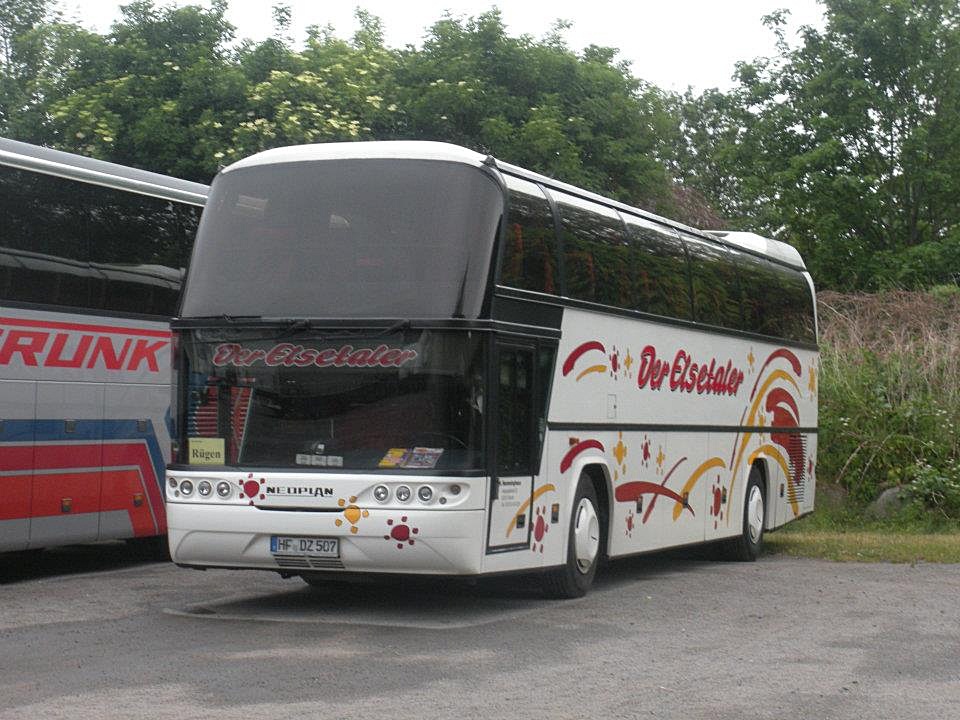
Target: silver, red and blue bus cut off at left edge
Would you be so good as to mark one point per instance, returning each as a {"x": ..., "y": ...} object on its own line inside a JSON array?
[{"x": 92, "y": 257}]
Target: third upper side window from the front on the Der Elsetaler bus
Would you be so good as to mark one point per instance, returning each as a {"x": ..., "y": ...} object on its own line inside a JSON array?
[{"x": 660, "y": 275}]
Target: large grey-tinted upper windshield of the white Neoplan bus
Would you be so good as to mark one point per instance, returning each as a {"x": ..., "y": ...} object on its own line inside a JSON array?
[{"x": 345, "y": 239}]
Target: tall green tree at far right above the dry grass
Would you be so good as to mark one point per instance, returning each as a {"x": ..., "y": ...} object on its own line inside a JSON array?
[{"x": 846, "y": 145}]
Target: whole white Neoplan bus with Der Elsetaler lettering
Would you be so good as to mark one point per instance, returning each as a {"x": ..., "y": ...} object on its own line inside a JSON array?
[{"x": 407, "y": 357}]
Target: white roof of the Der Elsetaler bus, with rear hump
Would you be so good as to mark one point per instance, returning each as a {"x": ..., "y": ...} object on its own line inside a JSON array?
[{"x": 429, "y": 150}]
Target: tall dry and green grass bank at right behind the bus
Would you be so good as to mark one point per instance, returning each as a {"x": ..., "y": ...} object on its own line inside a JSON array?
[{"x": 890, "y": 396}]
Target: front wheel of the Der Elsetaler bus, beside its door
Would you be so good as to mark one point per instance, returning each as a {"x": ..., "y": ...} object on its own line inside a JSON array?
[{"x": 575, "y": 576}]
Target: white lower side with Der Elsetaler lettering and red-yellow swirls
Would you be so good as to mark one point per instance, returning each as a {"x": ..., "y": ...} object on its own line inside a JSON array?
[{"x": 676, "y": 450}]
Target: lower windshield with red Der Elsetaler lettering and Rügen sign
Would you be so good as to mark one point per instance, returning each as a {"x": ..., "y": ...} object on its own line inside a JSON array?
[{"x": 404, "y": 401}]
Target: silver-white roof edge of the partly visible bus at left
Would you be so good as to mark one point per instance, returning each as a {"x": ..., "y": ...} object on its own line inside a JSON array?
[{"x": 99, "y": 172}]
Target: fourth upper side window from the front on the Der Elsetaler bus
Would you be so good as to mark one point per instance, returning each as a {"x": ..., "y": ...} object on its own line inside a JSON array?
[{"x": 716, "y": 290}]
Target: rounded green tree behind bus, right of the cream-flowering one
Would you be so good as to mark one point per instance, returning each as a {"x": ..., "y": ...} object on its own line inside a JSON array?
[{"x": 580, "y": 117}]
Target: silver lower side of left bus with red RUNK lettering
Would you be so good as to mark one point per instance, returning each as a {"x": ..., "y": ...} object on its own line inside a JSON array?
[{"x": 84, "y": 438}]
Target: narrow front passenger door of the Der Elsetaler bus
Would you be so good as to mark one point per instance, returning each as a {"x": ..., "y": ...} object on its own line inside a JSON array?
[{"x": 513, "y": 436}]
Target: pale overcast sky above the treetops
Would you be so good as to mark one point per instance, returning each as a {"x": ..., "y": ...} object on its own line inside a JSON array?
[{"x": 670, "y": 43}]
